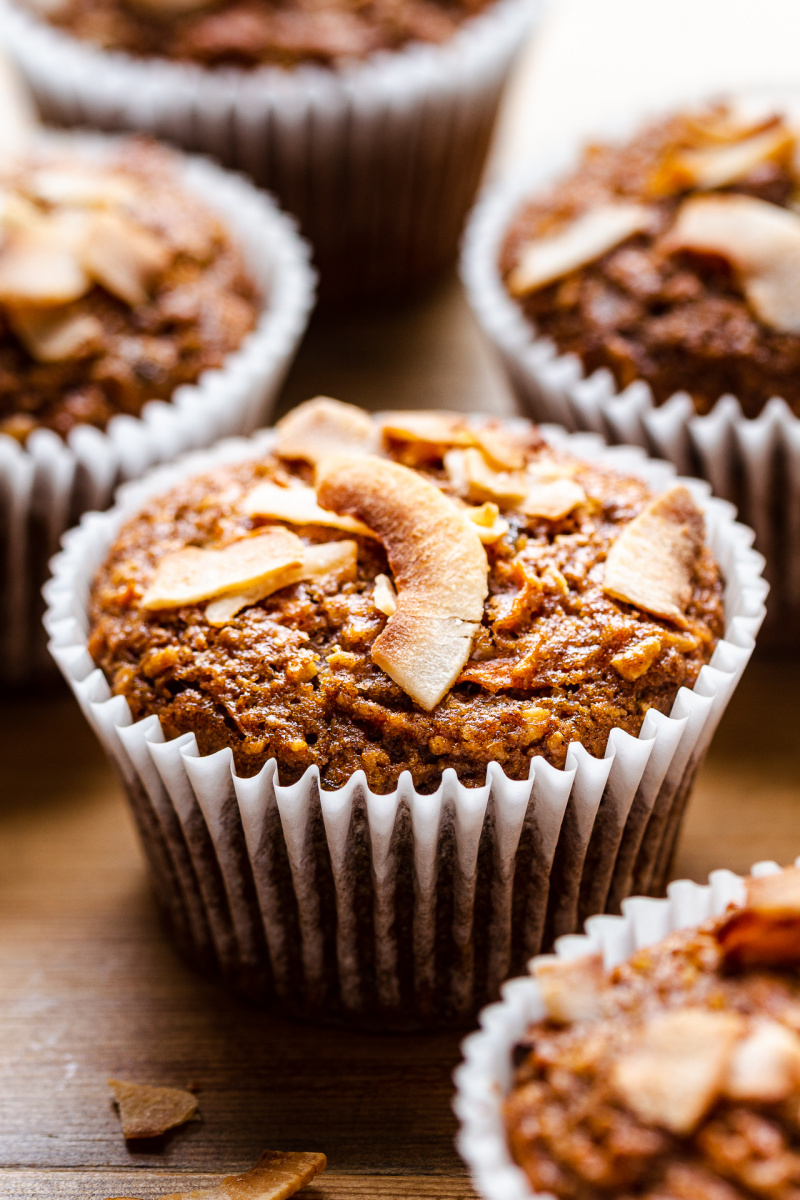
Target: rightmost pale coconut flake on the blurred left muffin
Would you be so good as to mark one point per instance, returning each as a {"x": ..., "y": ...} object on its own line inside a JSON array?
[{"x": 124, "y": 259}]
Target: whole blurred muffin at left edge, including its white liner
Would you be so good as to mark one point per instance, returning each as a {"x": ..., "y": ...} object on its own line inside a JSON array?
[{"x": 128, "y": 277}]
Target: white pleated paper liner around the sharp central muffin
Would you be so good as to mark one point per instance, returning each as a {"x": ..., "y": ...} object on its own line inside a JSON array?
[{"x": 399, "y": 910}]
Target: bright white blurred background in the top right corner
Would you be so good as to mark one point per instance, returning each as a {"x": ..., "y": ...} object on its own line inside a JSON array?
[{"x": 596, "y": 61}]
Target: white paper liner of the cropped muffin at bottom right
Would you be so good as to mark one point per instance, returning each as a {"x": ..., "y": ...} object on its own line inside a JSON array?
[{"x": 486, "y": 1076}]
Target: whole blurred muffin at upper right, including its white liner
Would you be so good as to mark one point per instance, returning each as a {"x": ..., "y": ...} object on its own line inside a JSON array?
[{"x": 667, "y": 261}]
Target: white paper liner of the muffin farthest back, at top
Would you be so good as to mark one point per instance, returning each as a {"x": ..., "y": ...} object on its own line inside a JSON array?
[{"x": 380, "y": 160}]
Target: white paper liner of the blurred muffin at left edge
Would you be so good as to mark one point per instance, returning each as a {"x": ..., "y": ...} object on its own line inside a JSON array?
[{"x": 46, "y": 485}]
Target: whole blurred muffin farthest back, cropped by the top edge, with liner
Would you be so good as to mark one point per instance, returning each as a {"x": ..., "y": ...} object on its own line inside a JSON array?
[{"x": 371, "y": 123}]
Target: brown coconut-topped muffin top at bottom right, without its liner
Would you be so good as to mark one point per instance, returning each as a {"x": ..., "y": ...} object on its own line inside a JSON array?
[{"x": 676, "y": 1076}]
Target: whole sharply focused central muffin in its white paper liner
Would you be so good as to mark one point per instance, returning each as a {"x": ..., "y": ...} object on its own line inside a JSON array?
[{"x": 437, "y": 687}]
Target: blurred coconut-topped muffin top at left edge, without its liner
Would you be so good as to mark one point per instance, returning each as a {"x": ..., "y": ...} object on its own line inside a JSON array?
[{"x": 117, "y": 286}]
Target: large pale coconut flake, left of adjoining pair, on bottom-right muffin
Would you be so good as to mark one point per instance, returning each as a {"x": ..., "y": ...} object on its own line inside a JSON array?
[{"x": 679, "y": 1067}]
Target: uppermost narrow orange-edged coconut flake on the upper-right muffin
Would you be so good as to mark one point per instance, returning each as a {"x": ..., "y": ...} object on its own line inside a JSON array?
[{"x": 723, "y": 165}]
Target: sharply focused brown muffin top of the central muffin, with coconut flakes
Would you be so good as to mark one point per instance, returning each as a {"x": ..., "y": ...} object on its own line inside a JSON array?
[{"x": 412, "y": 592}]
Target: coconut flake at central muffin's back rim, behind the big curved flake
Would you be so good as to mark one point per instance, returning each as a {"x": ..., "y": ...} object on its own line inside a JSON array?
[{"x": 324, "y": 427}]
